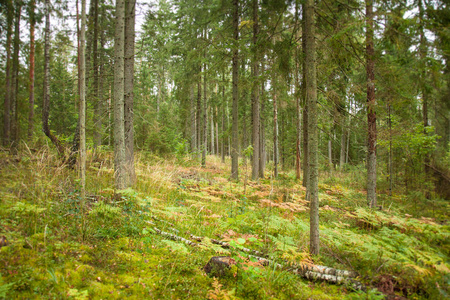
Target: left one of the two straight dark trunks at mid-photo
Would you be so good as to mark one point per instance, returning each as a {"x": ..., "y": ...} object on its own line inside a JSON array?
[{"x": 235, "y": 138}]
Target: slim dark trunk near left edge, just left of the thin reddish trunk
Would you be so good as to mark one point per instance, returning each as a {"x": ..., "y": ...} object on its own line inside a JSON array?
[{"x": 15, "y": 80}]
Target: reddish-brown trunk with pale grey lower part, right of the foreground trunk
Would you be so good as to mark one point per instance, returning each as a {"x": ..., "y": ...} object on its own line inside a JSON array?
[{"x": 371, "y": 115}]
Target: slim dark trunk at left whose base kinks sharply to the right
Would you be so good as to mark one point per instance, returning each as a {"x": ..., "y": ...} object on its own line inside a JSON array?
[{"x": 46, "y": 102}]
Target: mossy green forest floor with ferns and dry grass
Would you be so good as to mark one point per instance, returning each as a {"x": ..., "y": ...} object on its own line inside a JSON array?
[{"x": 53, "y": 247}]
